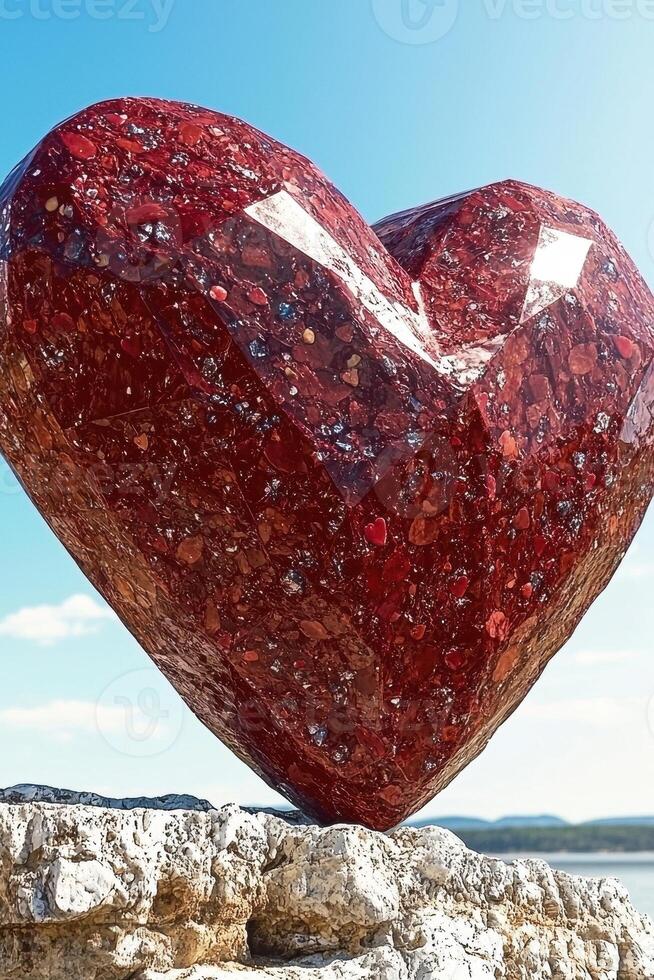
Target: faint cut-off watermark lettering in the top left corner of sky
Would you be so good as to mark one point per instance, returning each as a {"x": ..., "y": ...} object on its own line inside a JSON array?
[{"x": 155, "y": 14}]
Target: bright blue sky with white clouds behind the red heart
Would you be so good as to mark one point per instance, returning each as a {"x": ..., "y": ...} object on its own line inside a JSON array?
[{"x": 400, "y": 102}]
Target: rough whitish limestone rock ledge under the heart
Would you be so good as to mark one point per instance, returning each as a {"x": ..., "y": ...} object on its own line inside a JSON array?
[{"x": 117, "y": 890}]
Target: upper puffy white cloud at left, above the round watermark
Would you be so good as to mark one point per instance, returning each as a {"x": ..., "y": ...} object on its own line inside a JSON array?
[{"x": 77, "y": 616}]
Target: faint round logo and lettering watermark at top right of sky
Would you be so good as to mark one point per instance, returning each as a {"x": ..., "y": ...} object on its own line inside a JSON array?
[{"x": 427, "y": 21}]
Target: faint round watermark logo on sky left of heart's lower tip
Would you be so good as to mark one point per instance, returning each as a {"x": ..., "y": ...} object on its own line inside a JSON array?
[{"x": 139, "y": 715}]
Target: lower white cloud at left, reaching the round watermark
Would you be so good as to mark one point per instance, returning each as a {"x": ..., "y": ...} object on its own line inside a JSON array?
[{"x": 62, "y": 720}]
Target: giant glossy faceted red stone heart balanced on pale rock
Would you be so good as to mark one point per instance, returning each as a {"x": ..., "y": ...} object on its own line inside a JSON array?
[{"x": 351, "y": 488}]
